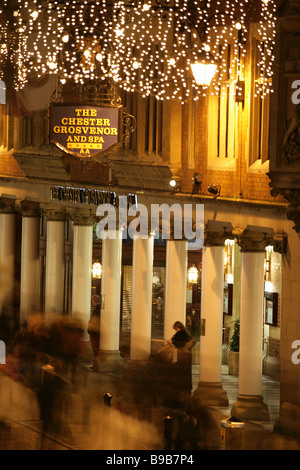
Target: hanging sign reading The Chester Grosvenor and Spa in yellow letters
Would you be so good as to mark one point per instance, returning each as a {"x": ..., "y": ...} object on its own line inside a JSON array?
[{"x": 84, "y": 131}]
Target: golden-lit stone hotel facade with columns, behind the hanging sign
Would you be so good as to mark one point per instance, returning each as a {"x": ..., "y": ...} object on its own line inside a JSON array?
[{"x": 248, "y": 187}]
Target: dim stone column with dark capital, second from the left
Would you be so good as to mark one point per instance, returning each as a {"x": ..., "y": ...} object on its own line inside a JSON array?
[{"x": 30, "y": 266}]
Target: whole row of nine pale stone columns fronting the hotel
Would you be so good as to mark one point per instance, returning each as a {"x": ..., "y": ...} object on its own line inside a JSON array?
[{"x": 249, "y": 403}]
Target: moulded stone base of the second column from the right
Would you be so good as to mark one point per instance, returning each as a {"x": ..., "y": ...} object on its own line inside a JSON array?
[{"x": 211, "y": 394}]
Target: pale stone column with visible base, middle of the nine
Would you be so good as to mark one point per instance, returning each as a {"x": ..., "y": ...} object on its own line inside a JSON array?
[{"x": 110, "y": 359}]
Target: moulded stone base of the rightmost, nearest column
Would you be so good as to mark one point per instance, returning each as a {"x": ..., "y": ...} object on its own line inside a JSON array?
[{"x": 250, "y": 408}]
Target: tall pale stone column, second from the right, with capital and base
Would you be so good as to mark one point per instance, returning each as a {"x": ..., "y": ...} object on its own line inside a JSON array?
[{"x": 210, "y": 391}]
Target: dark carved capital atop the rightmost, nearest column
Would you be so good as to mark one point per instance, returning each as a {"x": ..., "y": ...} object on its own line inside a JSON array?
[{"x": 254, "y": 239}]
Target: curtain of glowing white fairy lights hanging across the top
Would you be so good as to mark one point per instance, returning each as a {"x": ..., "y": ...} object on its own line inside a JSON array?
[{"x": 147, "y": 46}]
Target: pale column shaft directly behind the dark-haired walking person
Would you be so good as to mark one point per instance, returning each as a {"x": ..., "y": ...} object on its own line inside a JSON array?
[{"x": 176, "y": 283}]
